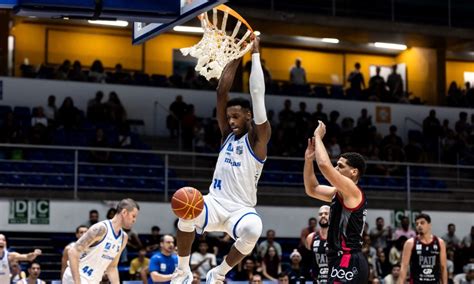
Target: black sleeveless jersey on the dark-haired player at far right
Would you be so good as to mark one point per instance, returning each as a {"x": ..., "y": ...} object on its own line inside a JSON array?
[{"x": 425, "y": 264}]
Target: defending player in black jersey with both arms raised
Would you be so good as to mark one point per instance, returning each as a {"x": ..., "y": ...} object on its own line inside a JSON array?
[{"x": 347, "y": 264}]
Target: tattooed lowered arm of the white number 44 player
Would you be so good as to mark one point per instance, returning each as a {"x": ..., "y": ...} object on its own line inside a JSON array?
[{"x": 92, "y": 236}]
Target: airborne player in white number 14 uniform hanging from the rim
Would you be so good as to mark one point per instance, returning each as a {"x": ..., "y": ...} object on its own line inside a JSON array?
[{"x": 229, "y": 206}]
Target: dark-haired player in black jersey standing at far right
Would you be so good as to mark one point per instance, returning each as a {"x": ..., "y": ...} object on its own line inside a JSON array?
[{"x": 425, "y": 255}]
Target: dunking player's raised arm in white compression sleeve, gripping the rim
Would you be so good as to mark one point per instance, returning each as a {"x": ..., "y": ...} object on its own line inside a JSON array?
[{"x": 262, "y": 131}]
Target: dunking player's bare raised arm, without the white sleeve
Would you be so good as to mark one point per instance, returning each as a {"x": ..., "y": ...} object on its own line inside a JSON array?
[{"x": 223, "y": 89}]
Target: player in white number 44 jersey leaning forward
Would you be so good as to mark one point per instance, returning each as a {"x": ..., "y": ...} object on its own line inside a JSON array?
[{"x": 98, "y": 251}]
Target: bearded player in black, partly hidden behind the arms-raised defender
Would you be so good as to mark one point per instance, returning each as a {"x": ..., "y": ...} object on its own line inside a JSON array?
[{"x": 317, "y": 243}]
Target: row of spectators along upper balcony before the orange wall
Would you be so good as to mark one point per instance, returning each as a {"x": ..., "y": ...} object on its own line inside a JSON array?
[{"x": 378, "y": 89}]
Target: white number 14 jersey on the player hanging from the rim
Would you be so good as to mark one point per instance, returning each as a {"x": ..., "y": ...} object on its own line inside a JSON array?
[{"x": 237, "y": 172}]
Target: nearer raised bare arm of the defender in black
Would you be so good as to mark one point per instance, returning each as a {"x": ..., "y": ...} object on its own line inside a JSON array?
[{"x": 344, "y": 185}]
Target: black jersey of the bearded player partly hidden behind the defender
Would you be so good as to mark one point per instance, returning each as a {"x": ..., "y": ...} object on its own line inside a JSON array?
[{"x": 320, "y": 269}]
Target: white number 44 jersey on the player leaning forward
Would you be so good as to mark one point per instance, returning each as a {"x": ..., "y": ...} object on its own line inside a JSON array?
[{"x": 94, "y": 262}]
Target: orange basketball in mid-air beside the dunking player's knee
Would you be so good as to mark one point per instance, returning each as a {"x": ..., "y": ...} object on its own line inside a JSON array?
[{"x": 187, "y": 203}]
